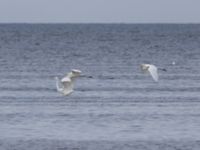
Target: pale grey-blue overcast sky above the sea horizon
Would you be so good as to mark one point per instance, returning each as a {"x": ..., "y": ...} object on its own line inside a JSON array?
[{"x": 99, "y": 11}]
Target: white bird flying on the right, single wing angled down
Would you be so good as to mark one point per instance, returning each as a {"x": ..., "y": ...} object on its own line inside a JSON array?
[{"x": 151, "y": 69}]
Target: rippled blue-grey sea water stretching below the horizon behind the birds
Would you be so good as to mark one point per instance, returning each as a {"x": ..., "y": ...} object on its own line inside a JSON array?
[{"x": 118, "y": 105}]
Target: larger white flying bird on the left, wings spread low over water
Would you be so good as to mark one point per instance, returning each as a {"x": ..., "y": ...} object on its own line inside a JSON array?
[{"x": 66, "y": 84}]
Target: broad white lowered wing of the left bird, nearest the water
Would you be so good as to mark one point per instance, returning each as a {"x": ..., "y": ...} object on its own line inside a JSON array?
[{"x": 67, "y": 85}]
